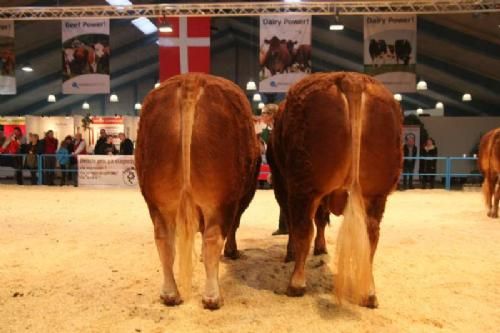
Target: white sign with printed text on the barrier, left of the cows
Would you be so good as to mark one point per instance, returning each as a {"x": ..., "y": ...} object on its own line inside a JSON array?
[{"x": 112, "y": 170}]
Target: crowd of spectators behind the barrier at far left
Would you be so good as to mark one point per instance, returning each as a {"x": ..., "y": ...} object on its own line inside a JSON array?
[{"x": 23, "y": 154}]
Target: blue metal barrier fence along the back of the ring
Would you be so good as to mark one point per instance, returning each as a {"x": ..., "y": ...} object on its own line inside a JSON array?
[{"x": 46, "y": 164}]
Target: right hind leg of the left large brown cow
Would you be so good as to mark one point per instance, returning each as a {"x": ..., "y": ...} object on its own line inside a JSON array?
[{"x": 213, "y": 241}]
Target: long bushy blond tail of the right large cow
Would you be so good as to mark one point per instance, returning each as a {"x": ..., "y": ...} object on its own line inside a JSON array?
[{"x": 354, "y": 275}]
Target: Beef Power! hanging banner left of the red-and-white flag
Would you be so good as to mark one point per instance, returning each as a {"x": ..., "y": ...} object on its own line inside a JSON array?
[{"x": 85, "y": 56}]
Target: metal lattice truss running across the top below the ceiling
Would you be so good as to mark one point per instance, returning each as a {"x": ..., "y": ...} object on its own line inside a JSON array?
[{"x": 251, "y": 9}]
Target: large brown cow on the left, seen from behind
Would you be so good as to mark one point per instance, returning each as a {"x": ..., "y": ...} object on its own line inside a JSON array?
[{"x": 197, "y": 160}]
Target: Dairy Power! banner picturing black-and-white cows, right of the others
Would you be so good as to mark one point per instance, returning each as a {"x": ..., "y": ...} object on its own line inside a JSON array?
[{"x": 390, "y": 50}]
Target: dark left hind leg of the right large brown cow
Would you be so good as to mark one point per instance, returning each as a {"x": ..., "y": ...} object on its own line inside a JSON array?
[{"x": 301, "y": 233}]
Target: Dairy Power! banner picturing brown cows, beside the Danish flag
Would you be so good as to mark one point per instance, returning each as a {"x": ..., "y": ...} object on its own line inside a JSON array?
[{"x": 285, "y": 51}]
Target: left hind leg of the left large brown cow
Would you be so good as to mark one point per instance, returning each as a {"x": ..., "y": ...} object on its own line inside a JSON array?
[{"x": 164, "y": 230}]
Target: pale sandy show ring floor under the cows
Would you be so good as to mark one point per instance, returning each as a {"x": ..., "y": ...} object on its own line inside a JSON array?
[{"x": 84, "y": 260}]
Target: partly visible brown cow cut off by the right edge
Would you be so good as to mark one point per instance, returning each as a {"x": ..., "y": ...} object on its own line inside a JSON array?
[{"x": 489, "y": 164}]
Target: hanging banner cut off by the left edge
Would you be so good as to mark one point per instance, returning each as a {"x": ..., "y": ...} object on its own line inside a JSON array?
[{"x": 7, "y": 58}]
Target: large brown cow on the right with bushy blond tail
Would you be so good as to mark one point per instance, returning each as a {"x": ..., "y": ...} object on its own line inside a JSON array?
[{"x": 339, "y": 133}]
